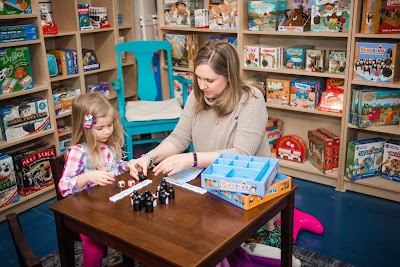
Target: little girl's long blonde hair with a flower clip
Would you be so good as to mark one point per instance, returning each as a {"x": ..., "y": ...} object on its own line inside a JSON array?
[{"x": 97, "y": 105}]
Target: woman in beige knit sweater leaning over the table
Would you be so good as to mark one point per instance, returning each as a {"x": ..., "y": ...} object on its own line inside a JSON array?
[{"x": 222, "y": 115}]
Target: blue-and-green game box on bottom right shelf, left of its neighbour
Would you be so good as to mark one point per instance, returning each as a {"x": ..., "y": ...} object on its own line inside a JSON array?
[{"x": 364, "y": 158}]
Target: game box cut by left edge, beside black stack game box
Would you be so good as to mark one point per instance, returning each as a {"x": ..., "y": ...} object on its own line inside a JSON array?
[{"x": 8, "y": 183}]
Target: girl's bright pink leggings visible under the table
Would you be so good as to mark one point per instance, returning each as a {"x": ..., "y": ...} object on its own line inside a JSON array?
[{"x": 93, "y": 252}]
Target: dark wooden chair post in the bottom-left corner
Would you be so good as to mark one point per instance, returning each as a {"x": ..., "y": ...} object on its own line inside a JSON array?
[{"x": 25, "y": 254}]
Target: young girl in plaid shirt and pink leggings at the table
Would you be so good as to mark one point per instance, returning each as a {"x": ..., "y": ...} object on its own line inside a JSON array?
[{"x": 94, "y": 157}]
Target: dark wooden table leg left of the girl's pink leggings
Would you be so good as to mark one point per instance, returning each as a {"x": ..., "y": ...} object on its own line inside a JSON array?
[{"x": 65, "y": 242}]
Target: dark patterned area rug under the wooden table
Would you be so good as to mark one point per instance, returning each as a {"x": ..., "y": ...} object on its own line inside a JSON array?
[{"x": 307, "y": 258}]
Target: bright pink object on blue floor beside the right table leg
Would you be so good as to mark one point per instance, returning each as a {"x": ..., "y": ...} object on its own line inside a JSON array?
[{"x": 304, "y": 221}]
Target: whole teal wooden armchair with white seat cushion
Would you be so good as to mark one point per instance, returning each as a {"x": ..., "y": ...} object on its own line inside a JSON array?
[{"x": 147, "y": 115}]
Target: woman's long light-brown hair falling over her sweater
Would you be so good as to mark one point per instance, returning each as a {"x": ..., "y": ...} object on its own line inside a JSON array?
[{"x": 223, "y": 60}]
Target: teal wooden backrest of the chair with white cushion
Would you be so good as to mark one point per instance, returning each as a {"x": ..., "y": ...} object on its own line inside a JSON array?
[{"x": 143, "y": 52}]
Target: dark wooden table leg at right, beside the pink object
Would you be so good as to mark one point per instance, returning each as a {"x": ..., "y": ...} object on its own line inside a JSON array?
[{"x": 287, "y": 232}]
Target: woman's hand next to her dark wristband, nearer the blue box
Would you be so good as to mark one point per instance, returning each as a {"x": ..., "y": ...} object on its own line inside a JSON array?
[{"x": 174, "y": 164}]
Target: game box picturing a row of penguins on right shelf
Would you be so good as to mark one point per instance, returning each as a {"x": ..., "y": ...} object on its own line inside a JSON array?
[{"x": 376, "y": 62}]
